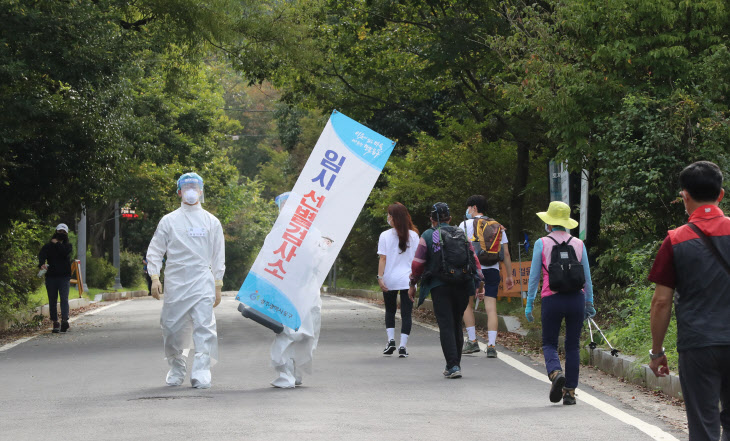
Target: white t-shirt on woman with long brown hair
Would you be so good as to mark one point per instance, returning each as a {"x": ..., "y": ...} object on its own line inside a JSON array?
[{"x": 397, "y": 264}]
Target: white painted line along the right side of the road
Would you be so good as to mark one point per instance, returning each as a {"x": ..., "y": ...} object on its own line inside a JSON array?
[{"x": 653, "y": 431}]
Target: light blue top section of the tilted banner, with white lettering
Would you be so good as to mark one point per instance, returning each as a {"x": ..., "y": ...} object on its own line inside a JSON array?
[{"x": 370, "y": 146}]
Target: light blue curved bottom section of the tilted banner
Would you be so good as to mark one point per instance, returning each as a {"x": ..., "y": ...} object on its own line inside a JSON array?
[{"x": 259, "y": 294}]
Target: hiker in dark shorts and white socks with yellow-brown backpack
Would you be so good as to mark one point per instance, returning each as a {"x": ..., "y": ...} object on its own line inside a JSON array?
[{"x": 489, "y": 240}]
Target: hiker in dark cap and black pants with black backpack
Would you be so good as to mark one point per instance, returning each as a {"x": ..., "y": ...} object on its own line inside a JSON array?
[{"x": 449, "y": 298}]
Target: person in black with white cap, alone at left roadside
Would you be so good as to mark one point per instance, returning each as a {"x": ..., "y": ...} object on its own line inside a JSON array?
[{"x": 55, "y": 258}]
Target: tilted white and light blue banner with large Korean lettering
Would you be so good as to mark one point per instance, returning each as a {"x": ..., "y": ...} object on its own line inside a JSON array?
[{"x": 284, "y": 281}]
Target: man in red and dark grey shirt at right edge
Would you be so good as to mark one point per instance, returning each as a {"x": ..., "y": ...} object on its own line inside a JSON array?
[{"x": 691, "y": 271}]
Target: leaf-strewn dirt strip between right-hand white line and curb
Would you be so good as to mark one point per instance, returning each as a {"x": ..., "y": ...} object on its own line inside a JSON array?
[{"x": 641, "y": 399}]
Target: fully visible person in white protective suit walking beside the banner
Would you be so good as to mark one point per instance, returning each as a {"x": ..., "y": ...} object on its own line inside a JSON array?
[{"x": 193, "y": 240}]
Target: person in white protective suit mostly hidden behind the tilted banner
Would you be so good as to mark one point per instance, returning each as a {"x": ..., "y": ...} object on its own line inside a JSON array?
[{"x": 292, "y": 351}]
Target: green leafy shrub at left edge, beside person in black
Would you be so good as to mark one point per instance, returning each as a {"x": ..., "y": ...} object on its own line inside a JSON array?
[{"x": 19, "y": 248}]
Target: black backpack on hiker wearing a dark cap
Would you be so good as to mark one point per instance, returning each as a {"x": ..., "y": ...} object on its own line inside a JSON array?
[{"x": 454, "y": 261}]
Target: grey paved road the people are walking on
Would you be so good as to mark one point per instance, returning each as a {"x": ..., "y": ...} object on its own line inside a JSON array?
[{"x": 105, "y": 380}]
